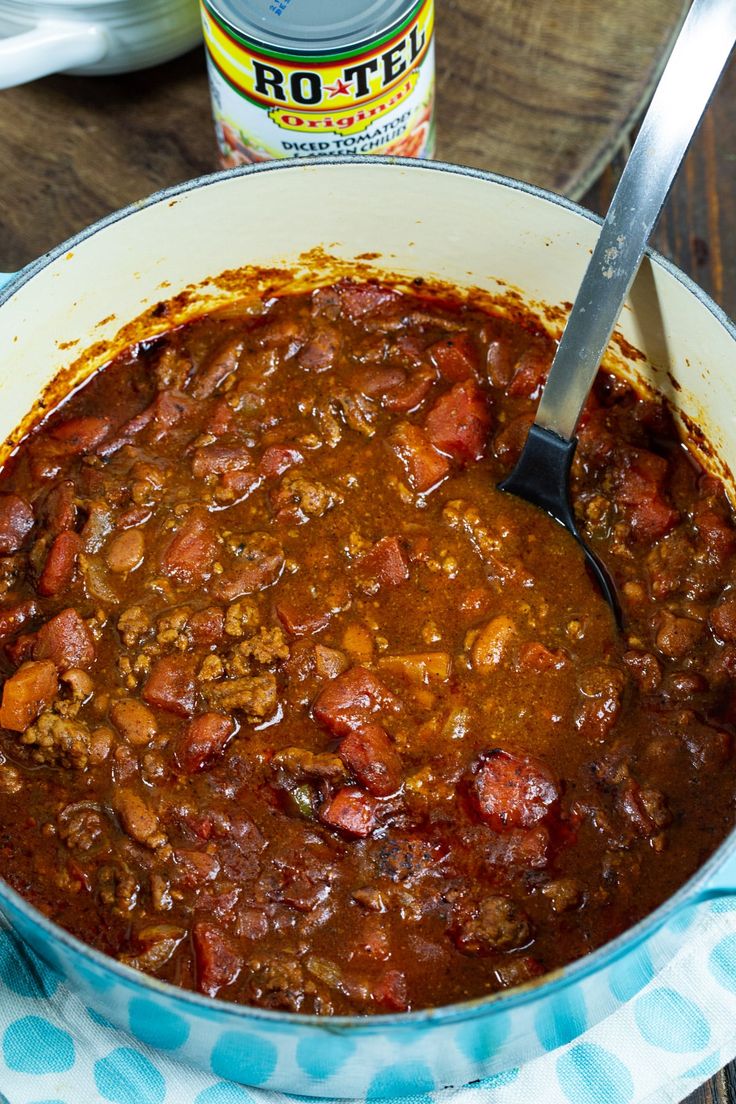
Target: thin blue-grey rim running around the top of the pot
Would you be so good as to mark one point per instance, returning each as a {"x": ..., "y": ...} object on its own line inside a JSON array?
[{"x": 550, "y": 984}]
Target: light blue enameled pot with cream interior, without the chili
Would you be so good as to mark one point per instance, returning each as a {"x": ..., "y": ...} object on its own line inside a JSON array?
[{"x": 470, "y": 229}]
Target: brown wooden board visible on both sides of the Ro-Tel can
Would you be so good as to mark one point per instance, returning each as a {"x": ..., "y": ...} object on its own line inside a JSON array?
[{"x": 540, "y": 91}]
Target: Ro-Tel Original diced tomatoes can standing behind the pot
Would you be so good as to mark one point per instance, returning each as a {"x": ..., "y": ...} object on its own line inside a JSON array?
[{"x": 311, "y": 78}]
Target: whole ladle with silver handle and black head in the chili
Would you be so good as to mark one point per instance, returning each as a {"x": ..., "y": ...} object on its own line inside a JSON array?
[{"x": 542, "y": 473}]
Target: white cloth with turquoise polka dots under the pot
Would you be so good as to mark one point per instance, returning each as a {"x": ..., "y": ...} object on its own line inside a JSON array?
[{"x": 656, "y": 1049}]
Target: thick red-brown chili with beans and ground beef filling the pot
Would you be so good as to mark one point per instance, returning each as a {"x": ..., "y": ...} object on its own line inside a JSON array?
[{"x": 300, "y": 712}]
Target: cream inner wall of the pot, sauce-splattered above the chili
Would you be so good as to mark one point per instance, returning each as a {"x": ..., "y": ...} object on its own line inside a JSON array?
[{"x": 420, "y": 220}]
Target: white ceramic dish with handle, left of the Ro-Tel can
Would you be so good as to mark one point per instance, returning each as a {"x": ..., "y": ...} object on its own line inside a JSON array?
[{"x": 92, "y": 37}]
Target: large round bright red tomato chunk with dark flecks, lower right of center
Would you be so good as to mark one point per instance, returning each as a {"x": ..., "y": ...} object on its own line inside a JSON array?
[{"x": 513, "y": 791}]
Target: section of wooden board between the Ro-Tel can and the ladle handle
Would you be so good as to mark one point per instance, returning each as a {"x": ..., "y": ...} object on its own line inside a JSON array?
[{"x": 546, "y": 91}]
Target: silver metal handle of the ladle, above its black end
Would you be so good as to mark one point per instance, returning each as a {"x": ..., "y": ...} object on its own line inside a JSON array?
[{"x": 690, "y": 77}]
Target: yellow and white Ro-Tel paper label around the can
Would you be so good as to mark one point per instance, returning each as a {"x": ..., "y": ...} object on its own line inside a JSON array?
[{"x": 272, "y": 105}]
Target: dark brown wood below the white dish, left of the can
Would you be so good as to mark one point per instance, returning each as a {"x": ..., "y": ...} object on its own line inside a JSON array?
[{"x": 74, "y": 150}]
